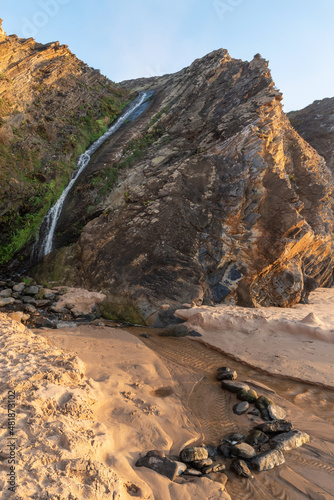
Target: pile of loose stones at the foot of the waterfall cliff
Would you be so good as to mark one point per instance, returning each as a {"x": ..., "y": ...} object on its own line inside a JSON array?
[{"x": 38, "y": 306}]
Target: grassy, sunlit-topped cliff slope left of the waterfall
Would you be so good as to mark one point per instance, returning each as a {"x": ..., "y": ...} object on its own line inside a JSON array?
[{"x": 51, "y": 107}]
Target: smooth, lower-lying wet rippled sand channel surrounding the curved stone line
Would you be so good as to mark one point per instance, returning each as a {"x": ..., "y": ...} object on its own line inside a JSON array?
[{"x": 161, "y": 393}]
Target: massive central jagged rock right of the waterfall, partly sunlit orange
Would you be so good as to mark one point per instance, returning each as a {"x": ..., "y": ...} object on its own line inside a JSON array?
[{"x": 218, "y": 199}]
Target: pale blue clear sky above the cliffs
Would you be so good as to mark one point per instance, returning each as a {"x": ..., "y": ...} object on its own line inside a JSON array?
[{"x": 130, "y": 39}]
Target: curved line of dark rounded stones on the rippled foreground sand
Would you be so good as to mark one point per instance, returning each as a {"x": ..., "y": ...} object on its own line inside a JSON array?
[{"x": 260, "y": 450}]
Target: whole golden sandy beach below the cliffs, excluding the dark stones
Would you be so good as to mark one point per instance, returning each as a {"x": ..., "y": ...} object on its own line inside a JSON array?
[{"x": 92, "y": 400}]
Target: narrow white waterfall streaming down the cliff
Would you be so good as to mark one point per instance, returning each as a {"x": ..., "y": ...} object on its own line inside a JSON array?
[{"x": 49, "y": 224}]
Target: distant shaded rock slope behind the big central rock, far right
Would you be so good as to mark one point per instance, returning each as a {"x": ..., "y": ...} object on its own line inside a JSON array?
[{"x": 315, "y": 124}]
